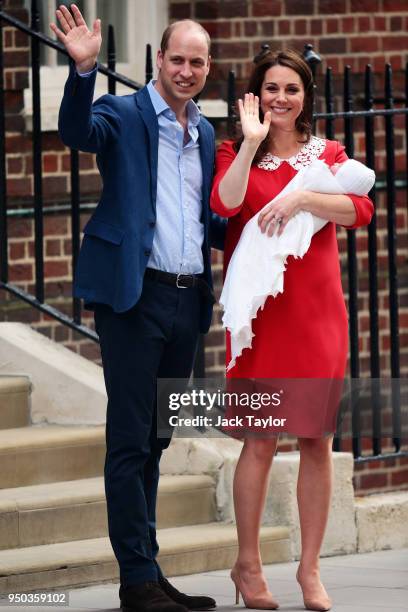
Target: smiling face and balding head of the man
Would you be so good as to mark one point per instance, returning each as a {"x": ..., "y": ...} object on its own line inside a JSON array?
[{"x": 184, "y": 67}]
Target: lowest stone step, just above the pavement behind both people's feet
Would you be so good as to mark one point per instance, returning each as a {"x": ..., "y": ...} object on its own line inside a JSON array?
[{"x": 183, "y": 550}]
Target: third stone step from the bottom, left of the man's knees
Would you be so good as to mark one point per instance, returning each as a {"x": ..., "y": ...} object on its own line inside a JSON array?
[{"x": 34, "y": 455}]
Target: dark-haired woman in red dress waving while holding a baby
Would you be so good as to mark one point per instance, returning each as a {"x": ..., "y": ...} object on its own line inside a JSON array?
[{"x": 302, "y": 333}]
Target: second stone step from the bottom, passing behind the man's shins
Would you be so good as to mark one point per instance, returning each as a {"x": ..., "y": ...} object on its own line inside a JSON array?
[{"x": 76, "y": 509}]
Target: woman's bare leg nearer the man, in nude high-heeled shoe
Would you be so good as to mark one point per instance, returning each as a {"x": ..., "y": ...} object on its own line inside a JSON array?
[{"x": 250, "y": 488}]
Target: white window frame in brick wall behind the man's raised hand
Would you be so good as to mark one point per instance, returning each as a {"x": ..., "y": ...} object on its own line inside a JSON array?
[{"x": 146, "y": 20}]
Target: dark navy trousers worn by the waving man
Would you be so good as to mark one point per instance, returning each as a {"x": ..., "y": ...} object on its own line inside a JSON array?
[{"x": 157, "y": 338}]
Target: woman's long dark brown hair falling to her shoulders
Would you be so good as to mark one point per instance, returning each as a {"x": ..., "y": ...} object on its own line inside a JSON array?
[{"x": 290, "y": 59}]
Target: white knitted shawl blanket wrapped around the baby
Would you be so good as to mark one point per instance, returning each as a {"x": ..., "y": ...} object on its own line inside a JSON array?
[{"x": 258, "y": 263}]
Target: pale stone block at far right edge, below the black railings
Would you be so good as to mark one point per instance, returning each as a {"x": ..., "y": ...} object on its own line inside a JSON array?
[{"x": 381, "y": 521}]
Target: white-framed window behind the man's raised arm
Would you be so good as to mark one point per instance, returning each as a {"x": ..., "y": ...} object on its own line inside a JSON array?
[{"x": 136, "y": 22}]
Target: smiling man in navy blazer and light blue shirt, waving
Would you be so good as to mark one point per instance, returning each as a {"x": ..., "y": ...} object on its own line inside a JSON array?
[{"x": 144, "y": 268}]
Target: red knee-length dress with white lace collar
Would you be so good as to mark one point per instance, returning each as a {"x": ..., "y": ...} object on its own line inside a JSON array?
[{"x": 303, "y": 332}]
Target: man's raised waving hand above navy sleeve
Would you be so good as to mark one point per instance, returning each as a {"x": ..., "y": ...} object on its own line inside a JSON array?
[{"x": 82, "y": 44}]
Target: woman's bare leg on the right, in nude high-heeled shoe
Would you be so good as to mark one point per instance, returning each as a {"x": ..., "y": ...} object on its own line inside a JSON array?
[{"x": 314, "y": 491}]
